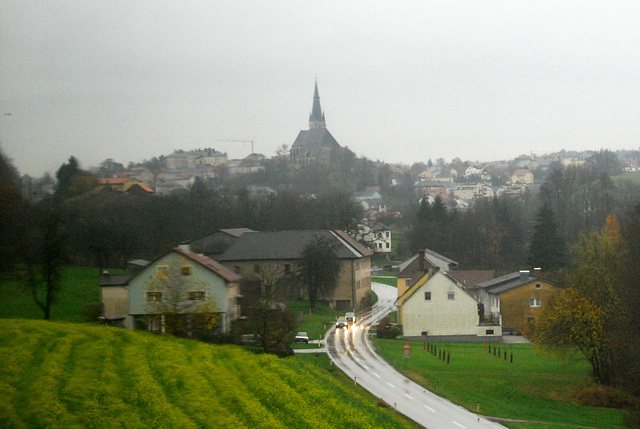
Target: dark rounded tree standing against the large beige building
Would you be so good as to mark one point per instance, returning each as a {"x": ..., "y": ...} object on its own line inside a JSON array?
[{"x": 319, "y": 269}]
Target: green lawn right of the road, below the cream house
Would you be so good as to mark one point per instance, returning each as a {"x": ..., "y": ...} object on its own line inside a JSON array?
[{"x": 535, "y": 387}]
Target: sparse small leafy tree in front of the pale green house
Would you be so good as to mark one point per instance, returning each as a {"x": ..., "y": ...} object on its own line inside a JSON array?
[{"x": 182, "y": 307}]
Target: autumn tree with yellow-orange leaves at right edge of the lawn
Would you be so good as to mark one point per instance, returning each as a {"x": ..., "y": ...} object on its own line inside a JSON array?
[{"x": 589, "y": 313}]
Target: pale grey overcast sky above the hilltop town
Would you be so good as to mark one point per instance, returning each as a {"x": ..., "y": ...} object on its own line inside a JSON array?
[{"x": 401, "y": 82}]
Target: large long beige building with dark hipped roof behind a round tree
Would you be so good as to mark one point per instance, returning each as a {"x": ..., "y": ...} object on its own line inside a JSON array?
[{"x": 277, "y": 253}]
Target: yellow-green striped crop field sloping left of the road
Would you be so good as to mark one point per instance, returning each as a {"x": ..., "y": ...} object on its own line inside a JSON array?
[{"x": 74, "y": 375}]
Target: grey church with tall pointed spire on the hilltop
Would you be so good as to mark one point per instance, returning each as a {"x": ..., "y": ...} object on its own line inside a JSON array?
[{"x": 316, "y": 144}]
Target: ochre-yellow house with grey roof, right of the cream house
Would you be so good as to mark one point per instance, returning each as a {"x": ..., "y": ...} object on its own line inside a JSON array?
[{"x": 523, "y": 296}]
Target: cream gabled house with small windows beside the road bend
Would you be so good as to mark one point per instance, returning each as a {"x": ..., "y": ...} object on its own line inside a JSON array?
[{"x": 439, "y": 306}]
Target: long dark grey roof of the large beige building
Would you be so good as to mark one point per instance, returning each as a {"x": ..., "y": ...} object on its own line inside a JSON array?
[{"x": 290, "y": 245}]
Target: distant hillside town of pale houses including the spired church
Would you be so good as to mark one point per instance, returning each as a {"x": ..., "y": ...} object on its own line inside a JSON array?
[{"x": 458, "y": 183}]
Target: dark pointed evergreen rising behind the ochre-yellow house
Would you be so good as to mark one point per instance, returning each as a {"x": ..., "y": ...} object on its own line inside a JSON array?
[{"x": 547, "y": 248}]
